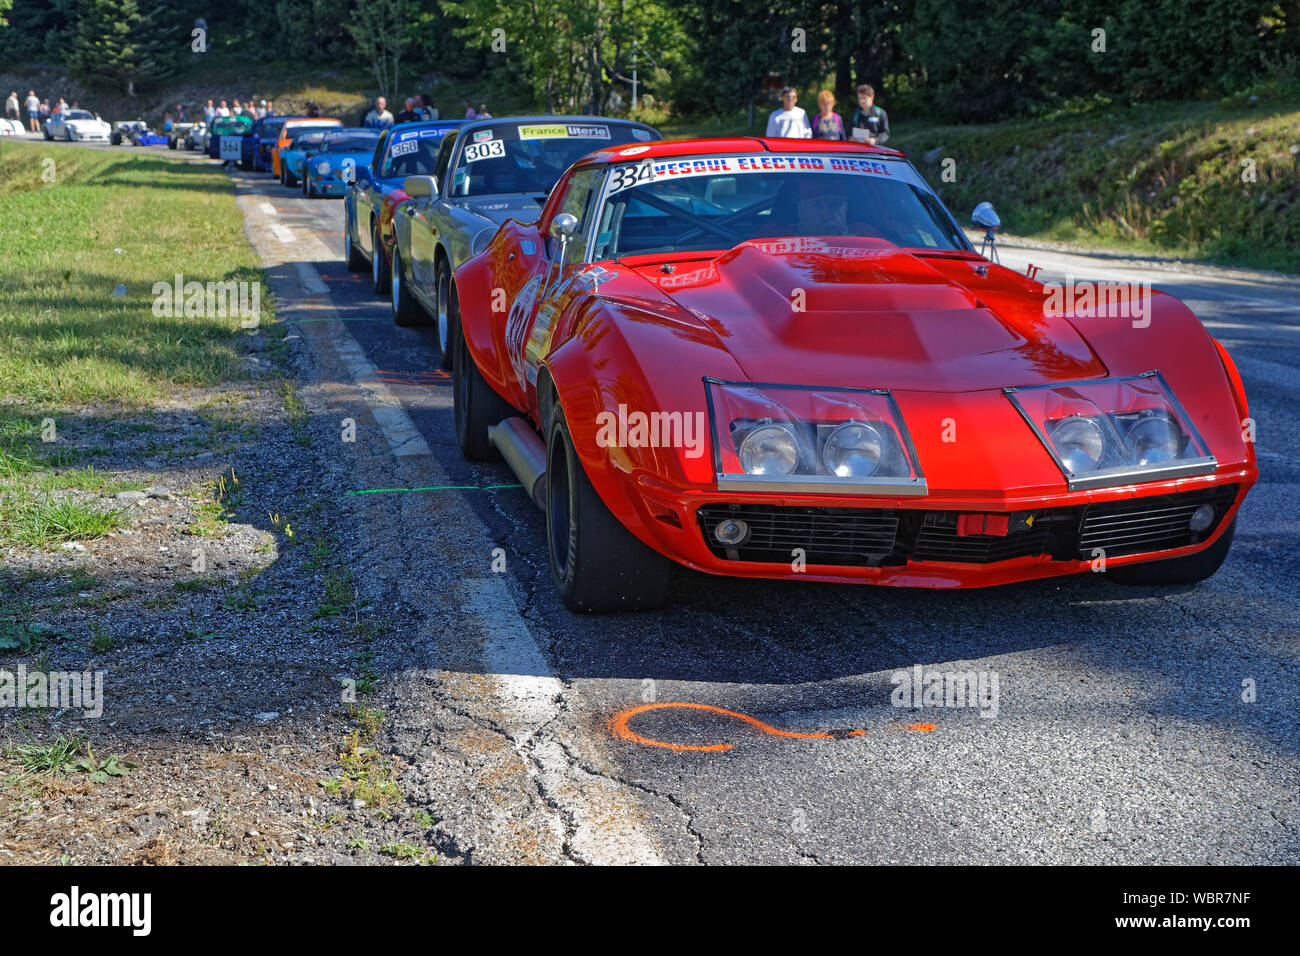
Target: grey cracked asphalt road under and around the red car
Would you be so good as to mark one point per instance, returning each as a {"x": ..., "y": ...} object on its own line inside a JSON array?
[{"x": 1121, "y": 733}]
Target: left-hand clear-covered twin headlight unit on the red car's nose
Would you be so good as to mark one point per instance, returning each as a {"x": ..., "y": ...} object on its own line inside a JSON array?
[{"x": 811, "y": 440}]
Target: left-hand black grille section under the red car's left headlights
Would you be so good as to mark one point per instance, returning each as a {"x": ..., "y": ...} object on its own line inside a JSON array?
[{"x": 829, "y": 537}]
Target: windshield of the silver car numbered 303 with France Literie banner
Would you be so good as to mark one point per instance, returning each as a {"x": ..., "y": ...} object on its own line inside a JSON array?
[{"x": 531, "y": 157}]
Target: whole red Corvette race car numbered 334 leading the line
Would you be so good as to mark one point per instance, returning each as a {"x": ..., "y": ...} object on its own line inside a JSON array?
[{"x": 783, "y": 360}]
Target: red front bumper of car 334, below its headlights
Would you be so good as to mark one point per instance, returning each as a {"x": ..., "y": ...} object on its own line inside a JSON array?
[{"x": 939, "y": 543}]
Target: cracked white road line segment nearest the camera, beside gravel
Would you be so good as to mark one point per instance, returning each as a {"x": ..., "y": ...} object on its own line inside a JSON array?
[{"x": 605, "y": 828}]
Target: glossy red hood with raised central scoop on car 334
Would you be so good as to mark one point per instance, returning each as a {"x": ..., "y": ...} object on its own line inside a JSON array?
[{"x": 874, "y": 317}]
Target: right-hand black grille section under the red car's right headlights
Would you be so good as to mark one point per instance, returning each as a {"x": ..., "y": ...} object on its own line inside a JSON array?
[{"x": 1150, "y": 525}]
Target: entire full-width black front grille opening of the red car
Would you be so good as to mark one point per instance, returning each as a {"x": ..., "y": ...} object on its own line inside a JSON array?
[{"x": 881, "y": 537}]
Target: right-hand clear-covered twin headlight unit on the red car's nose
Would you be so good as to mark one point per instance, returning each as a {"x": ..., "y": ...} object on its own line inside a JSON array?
[{"x": 1124, "y": 445}]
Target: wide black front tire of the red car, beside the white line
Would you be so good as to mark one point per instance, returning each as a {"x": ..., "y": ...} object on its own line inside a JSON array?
[{"x": 597, "y": 565}]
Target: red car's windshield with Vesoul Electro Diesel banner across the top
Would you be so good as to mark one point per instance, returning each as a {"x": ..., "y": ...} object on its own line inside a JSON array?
[{"x": 718, "y": 202}]
